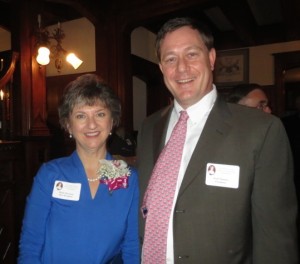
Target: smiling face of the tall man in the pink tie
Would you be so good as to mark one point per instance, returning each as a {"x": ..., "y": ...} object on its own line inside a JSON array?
[{"x": 187, "y": 65}]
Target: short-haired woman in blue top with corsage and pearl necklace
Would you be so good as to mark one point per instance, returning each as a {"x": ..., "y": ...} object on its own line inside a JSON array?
[{"x": 83, "y": 208}]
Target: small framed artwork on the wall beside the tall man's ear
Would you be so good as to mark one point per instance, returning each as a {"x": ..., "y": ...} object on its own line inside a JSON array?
[{"x": 231, "y": 67}]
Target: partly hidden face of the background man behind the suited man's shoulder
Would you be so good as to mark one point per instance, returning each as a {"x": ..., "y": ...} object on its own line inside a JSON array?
[{"x": 257, "y": 99}]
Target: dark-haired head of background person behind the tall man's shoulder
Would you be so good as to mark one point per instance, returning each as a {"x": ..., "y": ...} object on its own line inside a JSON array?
[{"x": 251, "y": 95}]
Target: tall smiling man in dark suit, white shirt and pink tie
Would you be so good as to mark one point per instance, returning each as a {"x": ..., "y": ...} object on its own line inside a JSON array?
[{"x": 243, "y": 213}]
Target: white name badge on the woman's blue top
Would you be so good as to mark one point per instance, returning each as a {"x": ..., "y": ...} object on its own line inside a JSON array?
[{"x": 66, "y": 190}]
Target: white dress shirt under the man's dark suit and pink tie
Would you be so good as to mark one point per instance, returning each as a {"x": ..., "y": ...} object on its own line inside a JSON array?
[{"x": 198, "y": 114}]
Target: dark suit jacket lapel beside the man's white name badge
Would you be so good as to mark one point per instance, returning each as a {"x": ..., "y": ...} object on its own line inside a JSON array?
[{"x": 214, "y": 131}]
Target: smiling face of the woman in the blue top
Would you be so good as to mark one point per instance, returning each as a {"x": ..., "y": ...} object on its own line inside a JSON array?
[{"x": 90, "y": 127}]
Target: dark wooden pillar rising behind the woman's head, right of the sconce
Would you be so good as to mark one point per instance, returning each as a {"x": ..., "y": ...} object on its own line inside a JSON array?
[{"x": 114, "y": 62}]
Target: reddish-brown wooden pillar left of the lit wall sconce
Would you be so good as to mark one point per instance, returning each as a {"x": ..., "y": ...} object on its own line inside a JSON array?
[{"x": 31, "y": 95}]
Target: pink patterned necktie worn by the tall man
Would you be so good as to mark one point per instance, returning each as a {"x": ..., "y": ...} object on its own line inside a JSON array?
[{"x": 158, "y": 199}]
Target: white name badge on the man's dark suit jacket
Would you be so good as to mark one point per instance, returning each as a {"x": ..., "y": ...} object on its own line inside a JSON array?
[{"x": 222, "y": 175}]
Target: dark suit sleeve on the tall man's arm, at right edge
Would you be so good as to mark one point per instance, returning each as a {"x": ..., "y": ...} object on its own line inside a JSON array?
[{"x": 274, "y": 206}]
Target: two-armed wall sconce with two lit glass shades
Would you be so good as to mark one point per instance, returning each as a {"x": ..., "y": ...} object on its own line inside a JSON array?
[{"x": 56, "y": 52}]
